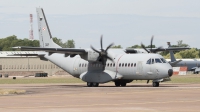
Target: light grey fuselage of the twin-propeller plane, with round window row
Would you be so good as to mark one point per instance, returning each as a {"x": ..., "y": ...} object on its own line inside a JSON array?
[{"x": 126, "y": 66}]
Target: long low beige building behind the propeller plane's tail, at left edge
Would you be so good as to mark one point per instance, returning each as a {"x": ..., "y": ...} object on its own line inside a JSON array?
[{"x": 26, "y": 65}]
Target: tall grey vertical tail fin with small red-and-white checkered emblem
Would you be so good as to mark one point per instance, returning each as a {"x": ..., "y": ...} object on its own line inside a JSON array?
[{"x": 45, "y": 36}]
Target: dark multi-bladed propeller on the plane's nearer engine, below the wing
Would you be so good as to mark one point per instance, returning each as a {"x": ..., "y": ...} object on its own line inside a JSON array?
[{"x": 103, "y": 54}]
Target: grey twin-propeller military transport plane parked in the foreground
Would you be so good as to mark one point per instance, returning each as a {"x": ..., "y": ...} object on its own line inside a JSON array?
[{"x": 96, "y": 66}]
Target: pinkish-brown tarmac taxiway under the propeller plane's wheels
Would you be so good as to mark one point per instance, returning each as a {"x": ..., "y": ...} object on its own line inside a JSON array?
[{"x": 106, "y": 98}]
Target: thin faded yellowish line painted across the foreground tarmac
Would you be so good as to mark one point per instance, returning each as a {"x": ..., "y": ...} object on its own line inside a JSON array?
[{"x": 93, "y": 105}]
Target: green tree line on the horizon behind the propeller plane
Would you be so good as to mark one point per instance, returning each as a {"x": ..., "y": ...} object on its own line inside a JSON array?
[{"x": 7, "y": 43}]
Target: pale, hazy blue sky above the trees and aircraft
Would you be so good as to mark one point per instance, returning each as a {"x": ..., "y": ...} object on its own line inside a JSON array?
[{"x": 122, "y": 22}]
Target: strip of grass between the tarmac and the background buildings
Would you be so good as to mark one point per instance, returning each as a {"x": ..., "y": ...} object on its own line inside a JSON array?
[{"x": 47, "y": 80}]
